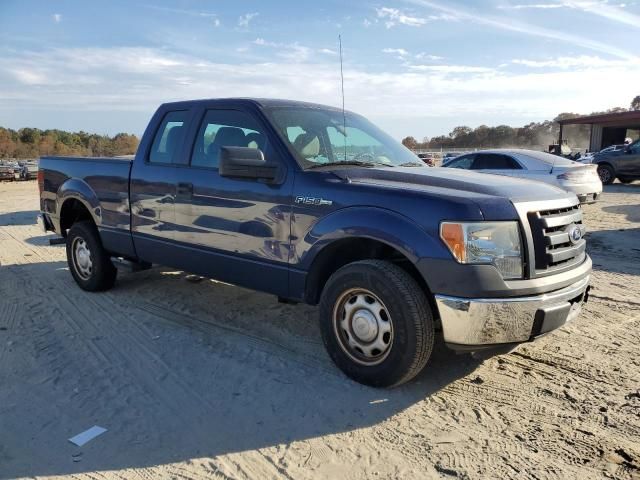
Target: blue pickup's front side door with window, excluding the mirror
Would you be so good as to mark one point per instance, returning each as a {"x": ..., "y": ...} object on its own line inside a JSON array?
[{"x": 233, "y": 229}]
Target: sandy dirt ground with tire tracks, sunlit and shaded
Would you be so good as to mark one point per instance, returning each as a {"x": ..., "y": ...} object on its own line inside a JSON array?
[{"x": 197, "y": 379}]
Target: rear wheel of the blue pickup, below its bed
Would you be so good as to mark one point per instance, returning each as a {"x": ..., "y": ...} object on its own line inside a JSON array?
[{"x": 99, "y": 273}]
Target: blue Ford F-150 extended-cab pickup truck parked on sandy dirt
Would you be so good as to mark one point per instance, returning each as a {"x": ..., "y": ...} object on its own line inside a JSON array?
[{"x": 316, "y": 205}]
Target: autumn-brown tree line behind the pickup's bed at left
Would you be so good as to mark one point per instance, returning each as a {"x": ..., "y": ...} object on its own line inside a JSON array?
[{"x": 34, "y": 143}]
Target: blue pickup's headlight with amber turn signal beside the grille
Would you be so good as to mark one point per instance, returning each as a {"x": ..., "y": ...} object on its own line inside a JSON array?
[{"x": 494, "y": 243}]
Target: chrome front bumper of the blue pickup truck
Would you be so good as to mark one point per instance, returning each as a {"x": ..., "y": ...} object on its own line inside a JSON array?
[{"x": 469, "y": 322}]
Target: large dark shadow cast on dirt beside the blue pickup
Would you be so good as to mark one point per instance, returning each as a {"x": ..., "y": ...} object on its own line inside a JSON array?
[{"x": 176, "y": 369}]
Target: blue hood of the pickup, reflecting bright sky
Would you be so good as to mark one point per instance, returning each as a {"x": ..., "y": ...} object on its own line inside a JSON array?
[{"x": 465, "y": 183}]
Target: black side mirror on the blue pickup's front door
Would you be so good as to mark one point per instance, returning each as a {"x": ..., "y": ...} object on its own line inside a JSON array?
[{"x": 245, "y": 162}]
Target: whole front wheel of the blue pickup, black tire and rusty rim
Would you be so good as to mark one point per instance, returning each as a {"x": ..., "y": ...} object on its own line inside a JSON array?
[{"x": 396, "y": 296}]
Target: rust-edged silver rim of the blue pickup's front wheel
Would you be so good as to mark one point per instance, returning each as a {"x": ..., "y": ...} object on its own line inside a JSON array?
[{"x": 363, "y": 326}]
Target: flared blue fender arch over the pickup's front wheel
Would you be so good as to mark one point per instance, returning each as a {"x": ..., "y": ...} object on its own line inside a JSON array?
[{"x": 375, "y": 223}]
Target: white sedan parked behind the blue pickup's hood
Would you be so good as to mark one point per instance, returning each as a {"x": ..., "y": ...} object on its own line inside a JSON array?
[{"x": 581, "y": 179}]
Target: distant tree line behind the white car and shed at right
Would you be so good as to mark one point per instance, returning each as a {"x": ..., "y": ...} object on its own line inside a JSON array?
[{"x": 535, "y": 135}]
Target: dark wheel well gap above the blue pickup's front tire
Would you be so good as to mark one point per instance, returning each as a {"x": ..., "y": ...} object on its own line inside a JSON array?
[{"x": 341, "y": 252}]
